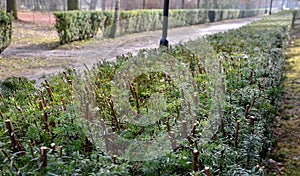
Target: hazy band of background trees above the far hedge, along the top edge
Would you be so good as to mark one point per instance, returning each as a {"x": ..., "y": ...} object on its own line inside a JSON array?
[{"x": 38, "y": 5}]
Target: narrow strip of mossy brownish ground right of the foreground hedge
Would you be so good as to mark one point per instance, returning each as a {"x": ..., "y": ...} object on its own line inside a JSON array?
[{"x": 286, "y": 155}]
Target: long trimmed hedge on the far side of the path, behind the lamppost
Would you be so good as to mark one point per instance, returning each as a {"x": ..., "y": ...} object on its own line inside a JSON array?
[{"x": 78, "y": 25}]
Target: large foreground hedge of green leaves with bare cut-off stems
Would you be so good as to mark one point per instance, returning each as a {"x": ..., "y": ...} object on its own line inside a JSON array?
[{"x": 44, "y": 130}]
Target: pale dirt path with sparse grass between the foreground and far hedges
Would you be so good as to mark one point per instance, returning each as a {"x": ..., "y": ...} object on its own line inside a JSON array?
[{"x": 35, "y": 50}]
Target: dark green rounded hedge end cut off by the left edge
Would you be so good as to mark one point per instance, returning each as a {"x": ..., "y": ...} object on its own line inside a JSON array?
[{"x": 5, "y": 30}]
